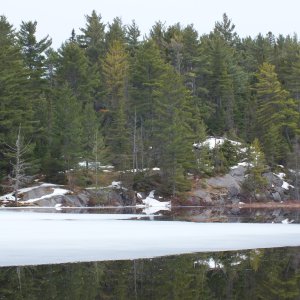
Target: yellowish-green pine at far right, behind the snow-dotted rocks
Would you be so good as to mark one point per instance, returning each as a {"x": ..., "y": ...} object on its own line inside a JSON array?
[{"x": 277, "y": 114}]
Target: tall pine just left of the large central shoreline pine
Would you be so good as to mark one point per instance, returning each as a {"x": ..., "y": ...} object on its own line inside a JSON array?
[{"x": 145, "y": 79}]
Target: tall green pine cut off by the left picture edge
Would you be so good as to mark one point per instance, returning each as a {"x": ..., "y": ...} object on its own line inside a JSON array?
[{"x": 16, "y": 102}]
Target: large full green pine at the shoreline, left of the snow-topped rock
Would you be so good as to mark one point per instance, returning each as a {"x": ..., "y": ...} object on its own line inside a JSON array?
[{"x": 172, "y": 135}]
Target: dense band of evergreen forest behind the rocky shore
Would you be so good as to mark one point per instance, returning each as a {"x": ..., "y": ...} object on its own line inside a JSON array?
[{"x": 146, "y": 101}]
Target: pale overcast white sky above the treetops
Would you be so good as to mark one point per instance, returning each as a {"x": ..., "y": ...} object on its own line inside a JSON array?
[{"x": 56, "y": 18}]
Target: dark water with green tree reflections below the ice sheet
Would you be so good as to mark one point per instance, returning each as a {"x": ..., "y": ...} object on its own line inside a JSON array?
[{"x": 253, "y": 274}]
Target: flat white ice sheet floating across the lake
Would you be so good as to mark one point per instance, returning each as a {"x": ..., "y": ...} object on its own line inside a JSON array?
[{"x": 43, "y": 238}]
